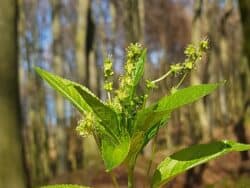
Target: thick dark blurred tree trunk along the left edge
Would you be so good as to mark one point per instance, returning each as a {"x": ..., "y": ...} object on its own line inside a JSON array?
[{"x": 11, "y": 160}]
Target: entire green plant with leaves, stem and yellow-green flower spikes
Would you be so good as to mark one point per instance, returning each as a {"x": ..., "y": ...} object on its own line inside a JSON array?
[{"x": 124, "y": 124}]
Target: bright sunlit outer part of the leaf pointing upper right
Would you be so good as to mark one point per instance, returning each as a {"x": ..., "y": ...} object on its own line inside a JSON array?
[{"x": 185, "y": 96}]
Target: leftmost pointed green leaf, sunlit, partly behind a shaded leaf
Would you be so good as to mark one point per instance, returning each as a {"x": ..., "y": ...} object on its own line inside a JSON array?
[{"x": 64, "y": 87}]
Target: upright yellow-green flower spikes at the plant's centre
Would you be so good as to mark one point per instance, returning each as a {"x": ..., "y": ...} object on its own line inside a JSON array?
[{"x": 125, "y": 100}]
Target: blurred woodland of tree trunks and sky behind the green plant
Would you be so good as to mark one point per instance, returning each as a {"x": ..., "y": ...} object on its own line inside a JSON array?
[{"x": 38, "y": 142}]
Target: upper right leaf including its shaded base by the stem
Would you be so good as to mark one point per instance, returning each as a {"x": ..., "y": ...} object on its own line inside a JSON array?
[{"x": 155, "y": 116}]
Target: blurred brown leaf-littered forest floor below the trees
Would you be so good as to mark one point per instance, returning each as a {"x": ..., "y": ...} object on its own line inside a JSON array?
[{"x": 226, "y": 172}]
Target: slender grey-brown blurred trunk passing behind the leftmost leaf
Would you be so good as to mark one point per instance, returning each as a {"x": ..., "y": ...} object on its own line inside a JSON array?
[{"x": 59, "y": 68}]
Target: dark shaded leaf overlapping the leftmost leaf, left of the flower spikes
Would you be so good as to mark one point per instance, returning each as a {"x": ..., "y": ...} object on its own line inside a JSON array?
[{"x": 106, "y": 114}]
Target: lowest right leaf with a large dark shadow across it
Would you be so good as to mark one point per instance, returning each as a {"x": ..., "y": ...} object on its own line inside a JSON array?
[{"x": 192, "y": 156}]
